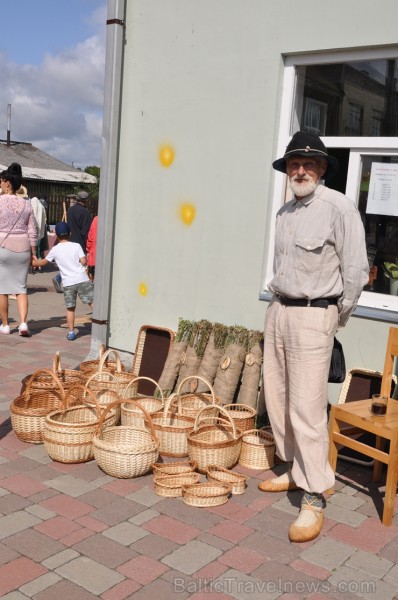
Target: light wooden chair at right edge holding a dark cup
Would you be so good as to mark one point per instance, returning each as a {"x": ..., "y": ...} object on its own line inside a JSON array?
[{"x": 357, "y": 414}]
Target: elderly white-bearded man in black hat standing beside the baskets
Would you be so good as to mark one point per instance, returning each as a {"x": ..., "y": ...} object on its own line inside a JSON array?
[{"x": 320, "y": 268}]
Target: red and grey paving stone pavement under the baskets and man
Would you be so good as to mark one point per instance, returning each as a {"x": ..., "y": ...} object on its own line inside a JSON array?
[{"x": 72, "y": 531}]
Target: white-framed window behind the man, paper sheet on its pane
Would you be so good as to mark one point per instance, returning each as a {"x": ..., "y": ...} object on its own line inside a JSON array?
[{"x": 351, "y": 100}]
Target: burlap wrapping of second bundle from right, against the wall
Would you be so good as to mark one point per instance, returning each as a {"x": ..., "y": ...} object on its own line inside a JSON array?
[{"x": 228, "y": 372}]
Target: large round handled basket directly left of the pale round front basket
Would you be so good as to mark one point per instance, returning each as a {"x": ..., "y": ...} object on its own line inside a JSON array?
[{"x": 68, "y": 432}]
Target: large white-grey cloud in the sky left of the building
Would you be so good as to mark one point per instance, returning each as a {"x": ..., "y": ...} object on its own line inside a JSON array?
[{"x": 57, "y": 106}]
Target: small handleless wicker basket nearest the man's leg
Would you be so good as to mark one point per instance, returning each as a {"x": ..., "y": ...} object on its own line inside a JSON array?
[{"x": 258, "y": 450}]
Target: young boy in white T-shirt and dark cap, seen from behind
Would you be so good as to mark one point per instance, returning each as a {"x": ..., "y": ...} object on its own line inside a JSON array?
[{"x": 71, "y": 262}]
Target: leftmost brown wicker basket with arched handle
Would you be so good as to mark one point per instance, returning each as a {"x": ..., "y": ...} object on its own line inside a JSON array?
[{"x": 29, "y": 410}]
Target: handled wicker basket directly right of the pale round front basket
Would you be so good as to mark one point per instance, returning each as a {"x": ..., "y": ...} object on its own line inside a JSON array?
[{"x": 172, "y": 430}]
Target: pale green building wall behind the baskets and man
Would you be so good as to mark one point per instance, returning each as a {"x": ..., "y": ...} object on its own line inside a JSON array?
[{"x": 205, "y": 78}]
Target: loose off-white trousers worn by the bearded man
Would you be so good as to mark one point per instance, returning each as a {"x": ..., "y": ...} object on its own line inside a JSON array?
[{"x": 298, "y": 344}]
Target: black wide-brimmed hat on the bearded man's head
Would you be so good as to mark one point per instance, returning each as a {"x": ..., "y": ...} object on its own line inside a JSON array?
[{"x": 307, "y": 144}]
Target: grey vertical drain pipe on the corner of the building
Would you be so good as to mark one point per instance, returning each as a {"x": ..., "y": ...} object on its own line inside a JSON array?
[{"x": 108, "y": 183}]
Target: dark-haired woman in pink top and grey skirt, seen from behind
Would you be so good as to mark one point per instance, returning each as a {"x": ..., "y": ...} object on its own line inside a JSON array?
[{"x": 18, "y": 239}]
